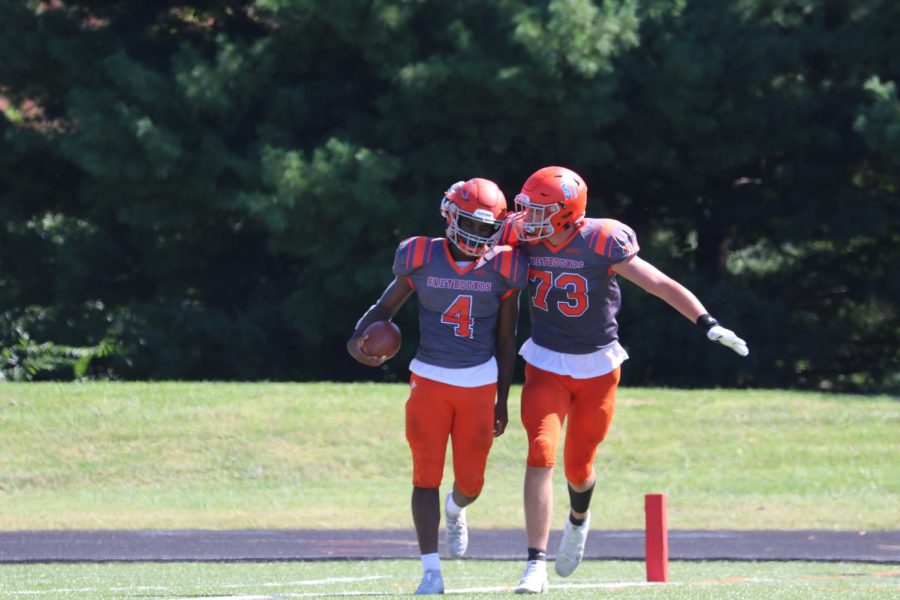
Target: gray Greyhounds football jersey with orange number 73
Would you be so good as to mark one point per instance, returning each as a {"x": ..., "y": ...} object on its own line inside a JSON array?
[{"x": 573, "y": 295}]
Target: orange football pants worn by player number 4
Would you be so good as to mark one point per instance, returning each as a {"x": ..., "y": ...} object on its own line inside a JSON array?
[{"x": 437, "y": 411}]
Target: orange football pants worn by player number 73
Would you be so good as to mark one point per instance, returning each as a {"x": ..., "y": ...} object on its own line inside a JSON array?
[{"x": 548, "y": 399}]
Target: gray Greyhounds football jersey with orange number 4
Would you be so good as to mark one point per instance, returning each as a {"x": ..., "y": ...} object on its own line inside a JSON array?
[{"x": 458, "y": 307}]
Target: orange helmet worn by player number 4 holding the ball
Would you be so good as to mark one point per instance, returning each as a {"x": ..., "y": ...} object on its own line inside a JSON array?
[{"x": 473, "y": 211}]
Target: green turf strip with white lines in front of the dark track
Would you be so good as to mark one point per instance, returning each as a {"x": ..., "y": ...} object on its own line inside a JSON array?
[{"x": 467, "y": 579}]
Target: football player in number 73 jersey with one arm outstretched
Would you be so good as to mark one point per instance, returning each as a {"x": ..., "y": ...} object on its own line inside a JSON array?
[{"x": 573, "y": 356}]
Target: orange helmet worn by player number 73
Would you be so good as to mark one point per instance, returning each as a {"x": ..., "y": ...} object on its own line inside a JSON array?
[{"x": 552, "y": 200}]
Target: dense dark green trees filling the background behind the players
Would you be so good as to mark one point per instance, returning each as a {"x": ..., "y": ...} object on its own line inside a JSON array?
[{"x": 217, "y": 189}]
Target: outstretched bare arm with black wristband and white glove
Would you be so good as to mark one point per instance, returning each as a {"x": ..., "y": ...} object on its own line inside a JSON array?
[{"x": 649, "y": 278}]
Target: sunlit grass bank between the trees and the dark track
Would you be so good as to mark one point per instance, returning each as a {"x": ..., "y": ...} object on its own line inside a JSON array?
[{"x": 222, "y": 455}]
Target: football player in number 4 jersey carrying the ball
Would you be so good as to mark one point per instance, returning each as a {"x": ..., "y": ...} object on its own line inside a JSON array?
[{"x": 467, "y": 291}]
